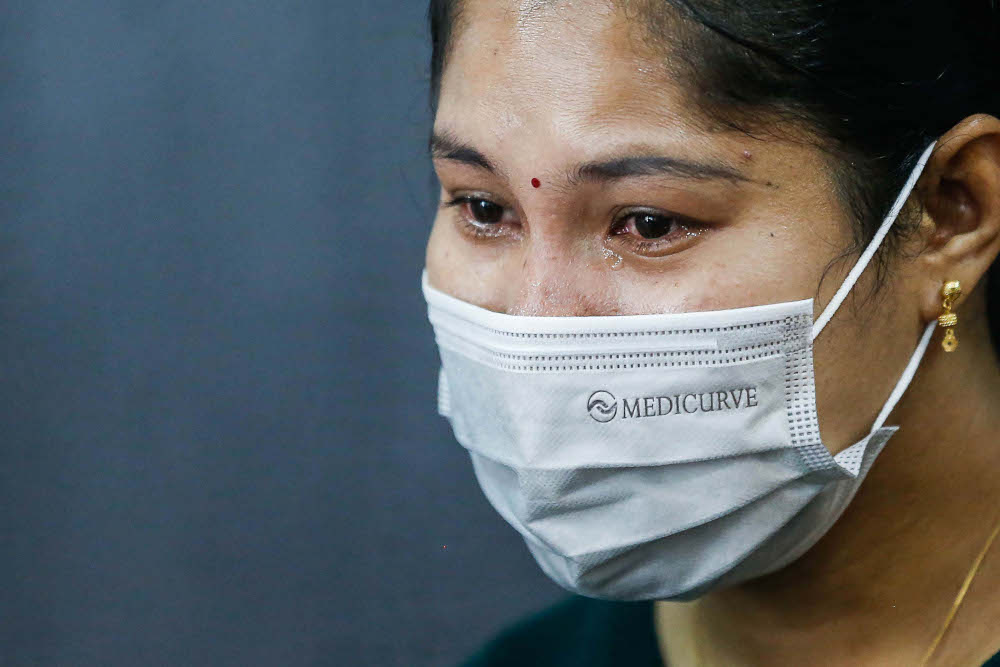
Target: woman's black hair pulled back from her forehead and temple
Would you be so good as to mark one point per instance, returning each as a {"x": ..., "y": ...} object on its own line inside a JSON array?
[{"x": 873, "y": 82}]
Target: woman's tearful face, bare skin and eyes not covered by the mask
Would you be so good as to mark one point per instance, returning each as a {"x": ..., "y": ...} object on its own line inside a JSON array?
[{"x": 586, "y": 186}]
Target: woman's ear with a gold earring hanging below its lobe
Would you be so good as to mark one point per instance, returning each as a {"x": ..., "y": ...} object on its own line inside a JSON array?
[{"x": 962, "y": 209}]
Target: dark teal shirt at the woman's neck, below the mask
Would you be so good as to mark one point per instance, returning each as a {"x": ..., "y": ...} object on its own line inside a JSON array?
[{"x": 582, "y": 632}]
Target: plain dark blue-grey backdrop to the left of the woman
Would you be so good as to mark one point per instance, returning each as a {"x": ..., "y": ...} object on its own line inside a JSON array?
[{"x": 219, "y": 444}]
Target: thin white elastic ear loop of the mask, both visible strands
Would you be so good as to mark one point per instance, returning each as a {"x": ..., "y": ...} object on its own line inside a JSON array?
[{"x": 858, "y": 269}]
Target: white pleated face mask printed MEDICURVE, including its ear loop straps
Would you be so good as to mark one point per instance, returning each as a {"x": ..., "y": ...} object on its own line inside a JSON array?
[{"x": 654, "y": 456}]
